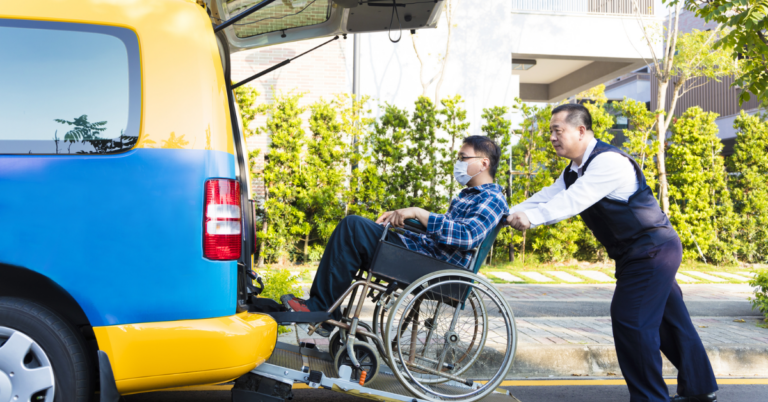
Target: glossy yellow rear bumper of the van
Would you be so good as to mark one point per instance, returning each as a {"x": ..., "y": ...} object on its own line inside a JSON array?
[{"x": 157, "y": 355}]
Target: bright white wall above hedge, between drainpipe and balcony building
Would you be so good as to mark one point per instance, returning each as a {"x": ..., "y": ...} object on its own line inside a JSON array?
[{"x": 478, "y": 67}]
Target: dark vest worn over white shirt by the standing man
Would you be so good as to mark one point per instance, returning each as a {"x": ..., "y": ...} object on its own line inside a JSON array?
[{"x": 624, "y": 227}]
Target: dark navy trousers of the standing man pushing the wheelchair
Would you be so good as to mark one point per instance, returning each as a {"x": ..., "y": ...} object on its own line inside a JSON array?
[{"x": 649, "y": 315}]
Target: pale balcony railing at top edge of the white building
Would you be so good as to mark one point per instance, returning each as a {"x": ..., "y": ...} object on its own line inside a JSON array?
[{"x": 598, "y": 7}]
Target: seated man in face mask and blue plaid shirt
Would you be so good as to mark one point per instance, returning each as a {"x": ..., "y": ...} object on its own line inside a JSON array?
[{"x": 449, "y": 237}]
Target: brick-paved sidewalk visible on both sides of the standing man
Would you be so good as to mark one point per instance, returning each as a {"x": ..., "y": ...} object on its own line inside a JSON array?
[{"x": 566, "y": 346}]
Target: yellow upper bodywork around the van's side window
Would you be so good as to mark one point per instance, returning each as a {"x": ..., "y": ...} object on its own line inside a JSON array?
[{"x": 184, "y": 101}]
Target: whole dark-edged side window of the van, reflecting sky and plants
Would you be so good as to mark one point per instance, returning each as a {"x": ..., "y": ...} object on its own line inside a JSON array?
[{"x": 68, "y": 88}]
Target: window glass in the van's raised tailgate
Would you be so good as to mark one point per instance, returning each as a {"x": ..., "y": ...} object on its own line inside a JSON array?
[{"x": 278, "y": 16}]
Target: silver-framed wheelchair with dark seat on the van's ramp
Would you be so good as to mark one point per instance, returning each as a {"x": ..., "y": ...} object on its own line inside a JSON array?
[{"x": 434, "y": 324}]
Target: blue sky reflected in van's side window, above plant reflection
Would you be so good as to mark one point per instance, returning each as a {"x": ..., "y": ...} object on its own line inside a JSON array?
[{"x": 52, "y": 74}]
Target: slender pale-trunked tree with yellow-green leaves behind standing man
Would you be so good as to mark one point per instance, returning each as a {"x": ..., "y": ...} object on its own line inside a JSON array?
[{"x": 688, "y": 61}]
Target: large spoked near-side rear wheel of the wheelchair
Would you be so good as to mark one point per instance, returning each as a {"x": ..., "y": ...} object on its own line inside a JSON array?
[{"x": 450, "y": 326}]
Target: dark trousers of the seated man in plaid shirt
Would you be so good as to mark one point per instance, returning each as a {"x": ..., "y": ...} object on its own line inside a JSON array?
[{"x": 349, "y": 249}]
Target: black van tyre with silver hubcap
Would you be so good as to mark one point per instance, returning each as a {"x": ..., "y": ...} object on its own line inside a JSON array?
[{"x": 42, "y": 358}]
